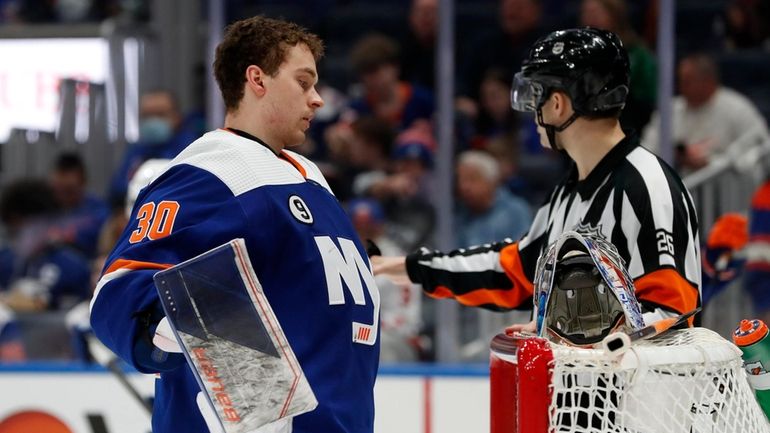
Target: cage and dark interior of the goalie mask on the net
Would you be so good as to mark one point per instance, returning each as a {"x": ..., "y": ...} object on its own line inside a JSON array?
[{"x": 582, "y": 309}]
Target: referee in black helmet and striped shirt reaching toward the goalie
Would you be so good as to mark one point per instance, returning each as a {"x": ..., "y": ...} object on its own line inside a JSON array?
[{"x": 576, "y": 82}]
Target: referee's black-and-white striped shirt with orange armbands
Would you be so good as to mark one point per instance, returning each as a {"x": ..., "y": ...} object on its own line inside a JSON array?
[{"x": 631, "y": 198}]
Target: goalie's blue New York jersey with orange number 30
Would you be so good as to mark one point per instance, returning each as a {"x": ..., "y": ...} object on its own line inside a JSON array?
[{"x": 303, "y": 248}]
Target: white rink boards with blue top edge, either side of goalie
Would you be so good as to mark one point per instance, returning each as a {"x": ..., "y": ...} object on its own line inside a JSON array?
[{"x": 78, "y": 399}]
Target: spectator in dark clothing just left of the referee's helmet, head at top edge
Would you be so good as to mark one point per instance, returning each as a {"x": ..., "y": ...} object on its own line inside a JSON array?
[{"x": 504, "y": 47}]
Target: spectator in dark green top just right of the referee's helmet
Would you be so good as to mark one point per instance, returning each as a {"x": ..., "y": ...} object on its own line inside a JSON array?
[{"x": 612, "y": 15}]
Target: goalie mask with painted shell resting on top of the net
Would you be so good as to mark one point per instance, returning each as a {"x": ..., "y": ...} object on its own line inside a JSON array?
[{"x": 583, "y": 292}]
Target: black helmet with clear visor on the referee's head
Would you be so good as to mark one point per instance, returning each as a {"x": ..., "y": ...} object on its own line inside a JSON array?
[{"x": 590, "y": 65}]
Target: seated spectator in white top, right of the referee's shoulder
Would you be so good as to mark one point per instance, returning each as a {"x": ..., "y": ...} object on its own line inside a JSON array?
[{"x": 707, "y": 117}]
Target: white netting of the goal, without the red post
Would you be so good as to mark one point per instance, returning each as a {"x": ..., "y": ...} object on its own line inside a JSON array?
[{"x": 688, "y": 381}]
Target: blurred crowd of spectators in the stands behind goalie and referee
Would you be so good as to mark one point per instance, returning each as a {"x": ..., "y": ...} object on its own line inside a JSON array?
[{"x": 375, "y": 138}]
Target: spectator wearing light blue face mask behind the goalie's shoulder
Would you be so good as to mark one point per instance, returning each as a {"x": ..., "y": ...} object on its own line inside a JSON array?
[{"x": 163, "y": 133}]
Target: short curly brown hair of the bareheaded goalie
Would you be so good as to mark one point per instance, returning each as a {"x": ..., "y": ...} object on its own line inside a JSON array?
[{"x": 257, "y": 41}]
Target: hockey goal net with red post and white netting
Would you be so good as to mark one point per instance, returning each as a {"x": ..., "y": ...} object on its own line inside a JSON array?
[{"x": 688, "y": 381}]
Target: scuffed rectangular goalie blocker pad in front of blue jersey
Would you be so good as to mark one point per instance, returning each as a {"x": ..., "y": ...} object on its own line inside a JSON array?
[{"x": 232, "y": 340}]
